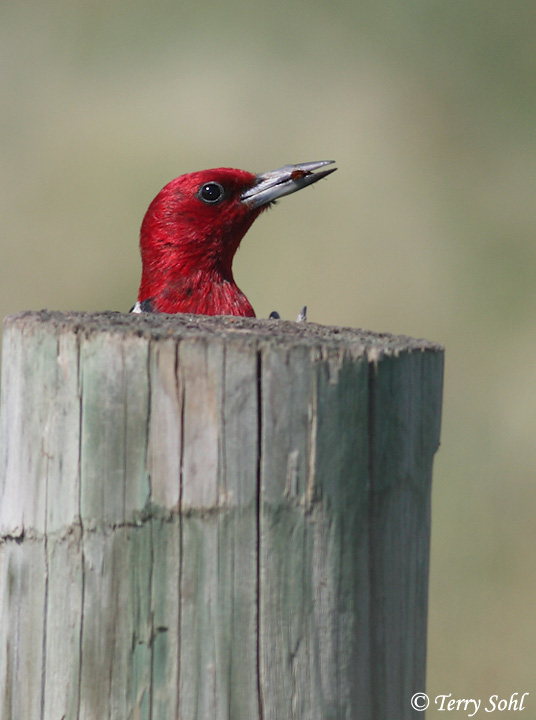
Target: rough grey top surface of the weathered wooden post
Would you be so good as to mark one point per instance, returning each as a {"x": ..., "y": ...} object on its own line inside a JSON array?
[{"x": 159, "y": 326}]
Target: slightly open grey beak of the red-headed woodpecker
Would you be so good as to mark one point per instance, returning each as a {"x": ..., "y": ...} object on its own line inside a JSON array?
[{"x": 278, "y": 183}]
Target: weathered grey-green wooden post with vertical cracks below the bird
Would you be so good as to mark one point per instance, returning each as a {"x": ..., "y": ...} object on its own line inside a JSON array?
[{"x": 213, "y": 518}]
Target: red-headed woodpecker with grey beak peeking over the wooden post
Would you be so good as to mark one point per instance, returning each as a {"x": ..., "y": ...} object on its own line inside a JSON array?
[{"x": 192, "y": 231}]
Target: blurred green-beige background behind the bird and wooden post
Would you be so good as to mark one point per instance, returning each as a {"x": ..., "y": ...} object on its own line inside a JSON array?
[{"x": 427, "y": 228}]
